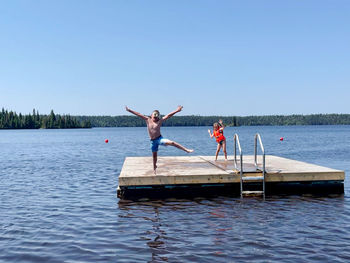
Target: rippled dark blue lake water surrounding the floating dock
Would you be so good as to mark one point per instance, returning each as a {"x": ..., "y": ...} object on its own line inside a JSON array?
[{"x": 58, "y": 201}]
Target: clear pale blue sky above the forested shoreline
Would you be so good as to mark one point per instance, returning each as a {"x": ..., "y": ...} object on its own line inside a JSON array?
[{"x": 254, "y": 57}]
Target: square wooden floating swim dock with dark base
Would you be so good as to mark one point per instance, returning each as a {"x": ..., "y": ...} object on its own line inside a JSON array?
[{"x": 183, "y": 176}]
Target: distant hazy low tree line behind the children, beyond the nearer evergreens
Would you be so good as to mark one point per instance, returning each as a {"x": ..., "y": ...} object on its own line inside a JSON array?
[{"x": 195, "y": 120}]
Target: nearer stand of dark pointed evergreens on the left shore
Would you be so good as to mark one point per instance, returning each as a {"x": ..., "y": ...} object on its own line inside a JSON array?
[{"x": 12, "y": 120}]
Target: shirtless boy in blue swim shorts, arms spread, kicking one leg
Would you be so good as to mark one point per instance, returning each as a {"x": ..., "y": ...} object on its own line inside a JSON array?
[{"x": 153, "y": 127}]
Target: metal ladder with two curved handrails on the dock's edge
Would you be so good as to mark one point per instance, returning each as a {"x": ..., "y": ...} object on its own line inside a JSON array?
[{"x": 250, "y": 179}]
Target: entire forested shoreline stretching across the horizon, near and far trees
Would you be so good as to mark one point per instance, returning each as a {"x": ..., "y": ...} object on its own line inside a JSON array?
[{"x": 12, "y": 120}]
